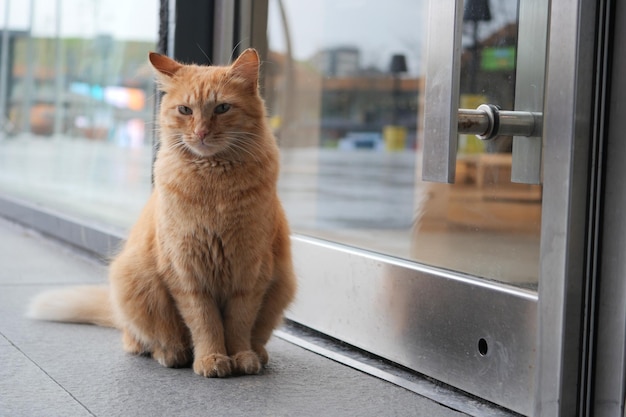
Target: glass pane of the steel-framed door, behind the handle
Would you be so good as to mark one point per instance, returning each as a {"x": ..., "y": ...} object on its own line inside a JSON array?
[{"x": 345, "y": 100}]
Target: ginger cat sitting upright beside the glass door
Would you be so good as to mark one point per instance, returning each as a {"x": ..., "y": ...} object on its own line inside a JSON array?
[{"x": 206, "y": 272}]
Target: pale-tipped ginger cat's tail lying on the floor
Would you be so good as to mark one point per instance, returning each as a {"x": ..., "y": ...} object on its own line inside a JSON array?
[{"x": 85, "y": 304}]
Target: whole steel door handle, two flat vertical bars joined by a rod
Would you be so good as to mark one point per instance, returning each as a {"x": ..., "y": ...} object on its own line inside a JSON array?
[{"x": 443, "y": 120}]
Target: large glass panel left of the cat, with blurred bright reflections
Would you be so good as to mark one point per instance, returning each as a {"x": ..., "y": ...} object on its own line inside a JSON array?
[{"x": 78, "y": 105}]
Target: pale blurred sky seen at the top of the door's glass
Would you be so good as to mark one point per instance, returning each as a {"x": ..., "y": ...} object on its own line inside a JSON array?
[{"x": 378, "y": 28}]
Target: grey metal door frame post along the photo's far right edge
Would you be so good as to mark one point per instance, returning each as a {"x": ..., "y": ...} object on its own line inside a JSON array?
[{"x": 606, "y": 388}]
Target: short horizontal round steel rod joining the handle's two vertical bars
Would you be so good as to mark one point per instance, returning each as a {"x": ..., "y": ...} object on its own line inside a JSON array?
[{"x": 488, "y": 121}]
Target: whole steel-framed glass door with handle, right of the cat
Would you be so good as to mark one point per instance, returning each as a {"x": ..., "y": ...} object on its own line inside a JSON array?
[{"x": 372, "y": 106}]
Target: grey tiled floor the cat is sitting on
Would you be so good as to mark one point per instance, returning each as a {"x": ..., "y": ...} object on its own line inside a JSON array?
[{"x": 52, "y": 369}]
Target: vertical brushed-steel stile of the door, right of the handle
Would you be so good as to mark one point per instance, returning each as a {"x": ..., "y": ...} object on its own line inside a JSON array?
[{"x": 567, "y": 272}]
